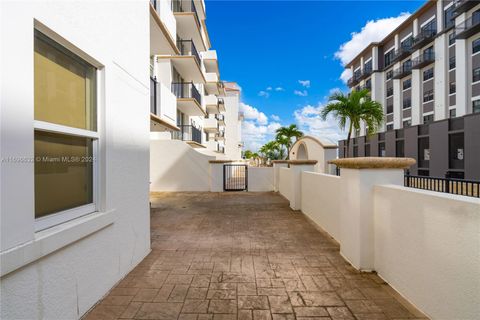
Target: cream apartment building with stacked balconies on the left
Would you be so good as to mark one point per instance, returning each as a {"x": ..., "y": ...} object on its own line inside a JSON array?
[{"x": 187, "y": 95}]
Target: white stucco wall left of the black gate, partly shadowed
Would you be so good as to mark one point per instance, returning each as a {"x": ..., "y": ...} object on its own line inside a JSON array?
[{"x": 175, "y": 166}]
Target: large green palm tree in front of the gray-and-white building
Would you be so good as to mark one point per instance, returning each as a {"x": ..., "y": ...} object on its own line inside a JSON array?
[{"x": 353, "y": 108}]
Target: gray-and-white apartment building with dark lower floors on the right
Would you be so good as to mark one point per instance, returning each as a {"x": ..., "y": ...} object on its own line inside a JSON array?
[{"x": 426, "y": 74}]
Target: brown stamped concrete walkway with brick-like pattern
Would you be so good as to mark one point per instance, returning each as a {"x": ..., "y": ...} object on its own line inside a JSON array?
[{"x": 244, "y": 256}]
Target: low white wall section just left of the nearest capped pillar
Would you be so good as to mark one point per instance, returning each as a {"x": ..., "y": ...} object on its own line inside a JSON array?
[{"x": 321, "y": 201}]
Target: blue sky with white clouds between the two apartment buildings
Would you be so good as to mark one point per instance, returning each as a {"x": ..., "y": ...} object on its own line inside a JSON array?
[{"x": 287, "y": 55}]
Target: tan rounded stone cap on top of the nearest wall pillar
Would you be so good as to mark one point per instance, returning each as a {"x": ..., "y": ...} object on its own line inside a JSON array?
[{"x": 373, "y": 163}]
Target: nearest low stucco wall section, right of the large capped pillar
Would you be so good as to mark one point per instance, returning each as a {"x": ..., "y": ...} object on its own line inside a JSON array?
[{"x": 427, "y": 246}]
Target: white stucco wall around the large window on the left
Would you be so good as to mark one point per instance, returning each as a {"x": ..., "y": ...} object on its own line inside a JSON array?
[{"x": 73, "y": 265}]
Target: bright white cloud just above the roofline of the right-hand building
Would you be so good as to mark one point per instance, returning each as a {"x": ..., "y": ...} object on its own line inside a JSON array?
[{"x": 373, "y": 31}]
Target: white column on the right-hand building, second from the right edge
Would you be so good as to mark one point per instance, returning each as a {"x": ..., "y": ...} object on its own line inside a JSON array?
[{"x": 441, "y": 77}]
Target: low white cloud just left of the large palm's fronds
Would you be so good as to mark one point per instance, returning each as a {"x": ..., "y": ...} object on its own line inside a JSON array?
[{"x": 309, "y": 121}]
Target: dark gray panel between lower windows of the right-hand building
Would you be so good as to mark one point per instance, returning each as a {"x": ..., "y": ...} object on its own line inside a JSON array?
[{"x": 438, "y": 132}]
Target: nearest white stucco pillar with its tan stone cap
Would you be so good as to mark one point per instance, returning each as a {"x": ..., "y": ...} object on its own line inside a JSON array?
[{"x": 358, "y": 179}]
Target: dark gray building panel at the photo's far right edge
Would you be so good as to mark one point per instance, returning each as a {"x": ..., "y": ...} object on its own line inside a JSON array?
[{"x": 472, "y": 146}]
